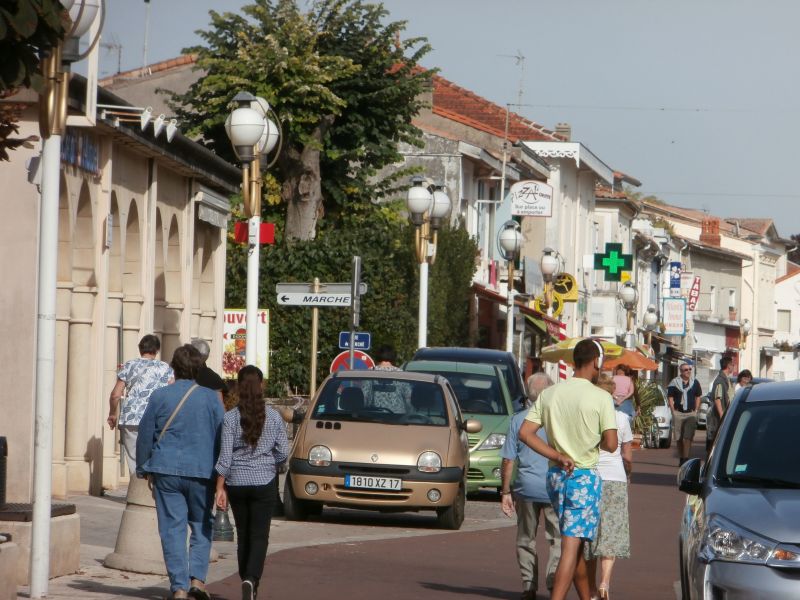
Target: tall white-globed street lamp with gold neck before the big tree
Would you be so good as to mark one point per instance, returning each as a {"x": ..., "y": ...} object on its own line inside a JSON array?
[{"x": 253, "y": 134}]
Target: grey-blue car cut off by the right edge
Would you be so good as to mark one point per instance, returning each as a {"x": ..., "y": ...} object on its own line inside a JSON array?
[{"x": 741, "y": 524}]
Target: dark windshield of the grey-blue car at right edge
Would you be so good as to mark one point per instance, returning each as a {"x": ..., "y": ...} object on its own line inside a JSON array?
[{"x": 760, "y": 445}]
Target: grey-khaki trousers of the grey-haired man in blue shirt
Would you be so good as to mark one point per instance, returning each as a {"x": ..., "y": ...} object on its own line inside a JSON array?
[{"x": 528, "y": 515}]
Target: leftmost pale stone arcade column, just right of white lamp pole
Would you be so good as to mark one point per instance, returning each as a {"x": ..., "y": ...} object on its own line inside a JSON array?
[{"x": 63, "y": 301}]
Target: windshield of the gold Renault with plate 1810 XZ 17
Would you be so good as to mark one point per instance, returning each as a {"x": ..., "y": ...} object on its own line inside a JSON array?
[{"x": 384, "y": 400}]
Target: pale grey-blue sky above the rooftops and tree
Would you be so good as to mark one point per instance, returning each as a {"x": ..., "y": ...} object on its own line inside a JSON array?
[{"x": 697, "y": 99}]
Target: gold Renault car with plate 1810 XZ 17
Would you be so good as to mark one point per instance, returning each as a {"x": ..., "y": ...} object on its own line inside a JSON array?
[{"x": 381, "y": 440}]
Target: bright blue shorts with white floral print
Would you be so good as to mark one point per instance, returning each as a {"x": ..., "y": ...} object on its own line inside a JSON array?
[{"x": 576, "y": 500}]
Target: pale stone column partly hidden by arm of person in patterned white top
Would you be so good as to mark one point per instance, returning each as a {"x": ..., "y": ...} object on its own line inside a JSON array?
[{"x": 111, "y": 360}]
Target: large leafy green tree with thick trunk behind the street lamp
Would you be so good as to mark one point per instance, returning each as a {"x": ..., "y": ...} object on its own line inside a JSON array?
[{"x": 344, "y": 84}]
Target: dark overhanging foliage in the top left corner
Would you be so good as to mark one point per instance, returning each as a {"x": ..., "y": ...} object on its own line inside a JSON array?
[{"x": 28, "y": 28}]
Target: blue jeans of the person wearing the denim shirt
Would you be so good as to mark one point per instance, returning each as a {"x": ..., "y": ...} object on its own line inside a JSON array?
[{"x": 181, "y": 502}]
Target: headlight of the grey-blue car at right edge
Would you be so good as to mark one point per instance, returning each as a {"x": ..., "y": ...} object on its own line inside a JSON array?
[{"x": 725, "y": 540}]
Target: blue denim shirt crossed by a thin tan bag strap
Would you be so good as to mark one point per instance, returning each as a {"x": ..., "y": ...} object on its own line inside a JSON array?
[{"x": 190, "y": 445}]
